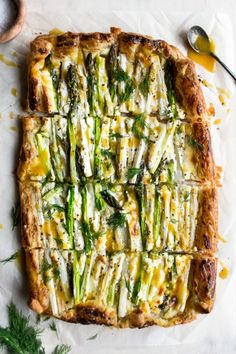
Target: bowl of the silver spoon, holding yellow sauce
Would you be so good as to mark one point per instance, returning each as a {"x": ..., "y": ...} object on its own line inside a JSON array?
[{"x": 199, "y": 40}]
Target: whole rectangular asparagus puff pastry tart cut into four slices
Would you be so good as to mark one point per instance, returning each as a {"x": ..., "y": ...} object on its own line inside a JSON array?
[{"x": 117, "y": 182}]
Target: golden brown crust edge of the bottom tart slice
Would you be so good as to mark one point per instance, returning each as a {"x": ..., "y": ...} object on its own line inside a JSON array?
[{"x": 201, "y": 299}]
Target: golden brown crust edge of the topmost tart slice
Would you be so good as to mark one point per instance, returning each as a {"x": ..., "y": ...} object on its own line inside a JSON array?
[{"x": 186, "y": 81}]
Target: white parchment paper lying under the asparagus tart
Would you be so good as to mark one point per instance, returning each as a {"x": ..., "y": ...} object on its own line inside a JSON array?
[{"x": 217, "y": 329}]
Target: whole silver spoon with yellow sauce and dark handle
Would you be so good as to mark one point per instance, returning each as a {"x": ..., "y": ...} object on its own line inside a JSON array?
[{"x": 196, "y": 32}]
